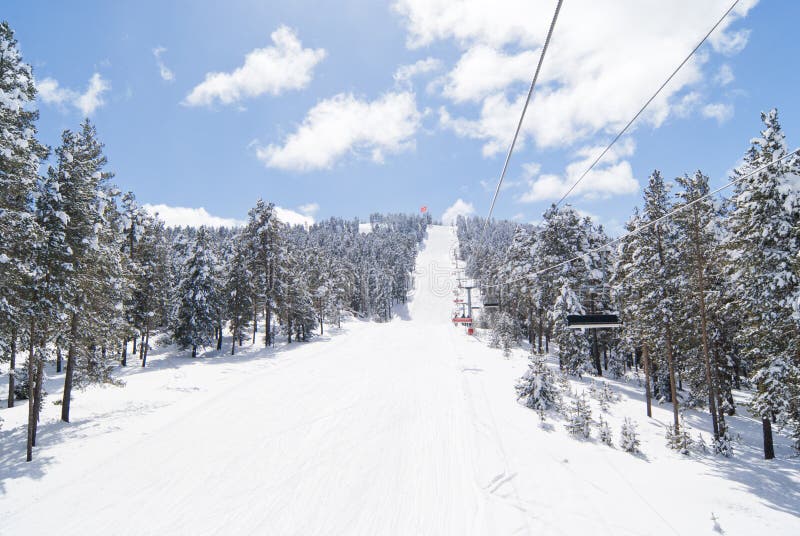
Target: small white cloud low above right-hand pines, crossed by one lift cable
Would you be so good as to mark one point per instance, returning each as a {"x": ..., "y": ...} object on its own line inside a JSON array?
[{"x": 612, "y": 176}]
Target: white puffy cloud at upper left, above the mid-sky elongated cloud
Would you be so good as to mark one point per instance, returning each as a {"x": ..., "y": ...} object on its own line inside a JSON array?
[{"x": 285, "y": 65}]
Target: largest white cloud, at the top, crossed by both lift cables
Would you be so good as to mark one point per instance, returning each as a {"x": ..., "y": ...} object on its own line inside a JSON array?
[{"x": 595, "y": 77}]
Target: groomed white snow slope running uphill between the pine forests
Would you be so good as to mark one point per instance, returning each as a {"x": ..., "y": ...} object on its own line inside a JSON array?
[{"x": 406, "y": 428}]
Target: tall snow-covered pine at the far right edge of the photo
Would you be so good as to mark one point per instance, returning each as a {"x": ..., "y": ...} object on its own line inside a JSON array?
[{"x": 762, "y": 246}]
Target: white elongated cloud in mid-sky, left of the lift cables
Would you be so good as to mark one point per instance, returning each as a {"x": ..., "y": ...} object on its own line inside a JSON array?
[{"x": 345, "y": 124}]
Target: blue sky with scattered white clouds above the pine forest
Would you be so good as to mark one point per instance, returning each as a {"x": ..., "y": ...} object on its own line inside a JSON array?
[{"x": 351, "y": 107}]
